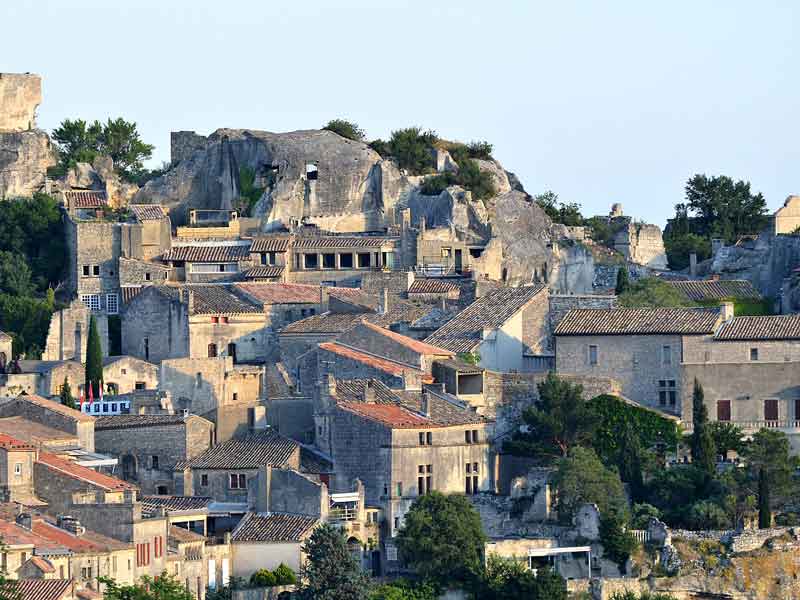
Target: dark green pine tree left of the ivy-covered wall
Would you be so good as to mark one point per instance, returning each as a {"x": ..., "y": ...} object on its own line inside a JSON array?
[{"x": 558, "y": 421}]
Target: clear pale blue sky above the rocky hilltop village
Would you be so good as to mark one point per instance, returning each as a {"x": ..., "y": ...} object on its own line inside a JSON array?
[{"x": 599, "y": 101}]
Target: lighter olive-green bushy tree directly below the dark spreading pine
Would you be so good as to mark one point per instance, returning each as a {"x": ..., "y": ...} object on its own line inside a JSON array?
[{"x": 581, "y": 478}]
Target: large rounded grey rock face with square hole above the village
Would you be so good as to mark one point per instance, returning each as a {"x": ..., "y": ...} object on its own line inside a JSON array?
[{"x": 315, "y": 174}]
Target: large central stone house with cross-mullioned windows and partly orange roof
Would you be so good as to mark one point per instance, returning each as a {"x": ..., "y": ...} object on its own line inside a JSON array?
[{"x": 402, "y": 445}]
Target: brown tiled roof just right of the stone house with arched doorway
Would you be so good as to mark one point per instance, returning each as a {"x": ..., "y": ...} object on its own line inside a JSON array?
[{"x": 260, "y": 448}]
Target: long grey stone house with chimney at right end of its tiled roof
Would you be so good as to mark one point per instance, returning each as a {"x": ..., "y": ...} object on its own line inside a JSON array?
[{"x": 641, "y": 348}]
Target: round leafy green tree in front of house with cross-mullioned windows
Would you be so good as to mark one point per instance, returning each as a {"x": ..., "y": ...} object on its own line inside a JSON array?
[{"x": 442, "y": 538}]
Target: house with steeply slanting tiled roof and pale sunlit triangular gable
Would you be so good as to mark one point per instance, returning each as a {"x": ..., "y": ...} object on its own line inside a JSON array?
[{"x": 507, "y": 328}]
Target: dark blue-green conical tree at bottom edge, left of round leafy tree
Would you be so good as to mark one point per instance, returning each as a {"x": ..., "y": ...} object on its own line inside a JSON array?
[{"x": 330, "y": 571}]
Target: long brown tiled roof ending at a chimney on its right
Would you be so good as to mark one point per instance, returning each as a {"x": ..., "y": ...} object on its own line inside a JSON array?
[{"x": 638, "y": 321}]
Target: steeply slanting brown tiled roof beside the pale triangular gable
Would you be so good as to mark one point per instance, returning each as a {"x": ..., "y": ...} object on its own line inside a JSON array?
[{"x": 463, "y": 332}]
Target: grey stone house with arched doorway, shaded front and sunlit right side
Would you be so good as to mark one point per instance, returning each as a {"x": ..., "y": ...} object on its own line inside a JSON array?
[{"x": 149, "y": 446}]
